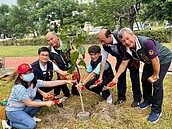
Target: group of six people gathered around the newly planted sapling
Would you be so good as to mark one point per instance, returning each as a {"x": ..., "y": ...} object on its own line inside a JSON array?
[{"x": 35, "y": 81}]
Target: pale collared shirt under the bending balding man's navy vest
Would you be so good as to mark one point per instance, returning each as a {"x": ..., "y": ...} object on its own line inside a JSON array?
[{"x": 105, "y": 53}]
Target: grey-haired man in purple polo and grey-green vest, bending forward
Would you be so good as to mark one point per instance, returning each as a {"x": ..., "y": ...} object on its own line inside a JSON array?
[{"x": 157, "y": 59}]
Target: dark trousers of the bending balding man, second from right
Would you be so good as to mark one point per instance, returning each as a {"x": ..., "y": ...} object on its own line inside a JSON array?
[{"x": 121, "y": 86}]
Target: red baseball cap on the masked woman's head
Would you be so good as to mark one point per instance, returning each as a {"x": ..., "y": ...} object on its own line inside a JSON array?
[{"x": 24, "y": 68}]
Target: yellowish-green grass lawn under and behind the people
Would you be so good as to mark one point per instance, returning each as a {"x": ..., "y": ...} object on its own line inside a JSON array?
[{"x": 103, "y": 115}]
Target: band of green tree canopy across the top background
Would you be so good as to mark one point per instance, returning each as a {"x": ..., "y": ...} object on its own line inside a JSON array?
[{"x": 38, "y": 15}]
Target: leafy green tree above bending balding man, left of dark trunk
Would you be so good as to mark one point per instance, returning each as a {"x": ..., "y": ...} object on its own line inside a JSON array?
[{"x": 102, "y": 12}]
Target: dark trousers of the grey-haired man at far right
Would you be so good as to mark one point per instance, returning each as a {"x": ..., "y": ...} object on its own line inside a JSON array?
[{"x": 155, "y": 97}]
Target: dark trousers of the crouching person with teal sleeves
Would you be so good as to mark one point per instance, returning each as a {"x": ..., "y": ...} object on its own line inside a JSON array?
[{"x": 98, "y": 89}]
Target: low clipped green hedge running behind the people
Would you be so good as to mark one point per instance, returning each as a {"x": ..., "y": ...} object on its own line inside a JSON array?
[{"x": 163, "y": 36}]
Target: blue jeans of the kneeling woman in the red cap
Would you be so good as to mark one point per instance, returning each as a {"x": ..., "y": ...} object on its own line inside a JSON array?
[{"x": 23, "y": 119}]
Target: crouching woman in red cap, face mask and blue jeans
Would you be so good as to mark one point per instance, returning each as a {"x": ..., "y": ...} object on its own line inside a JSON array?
[{"x": 22, "y": 107}]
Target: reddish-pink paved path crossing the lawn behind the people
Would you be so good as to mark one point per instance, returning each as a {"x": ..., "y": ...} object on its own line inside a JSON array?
[{"x": 13, "y": 62}]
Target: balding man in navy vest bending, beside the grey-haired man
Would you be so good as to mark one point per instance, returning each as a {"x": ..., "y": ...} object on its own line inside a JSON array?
[{"x": 111, "y": 44}]
